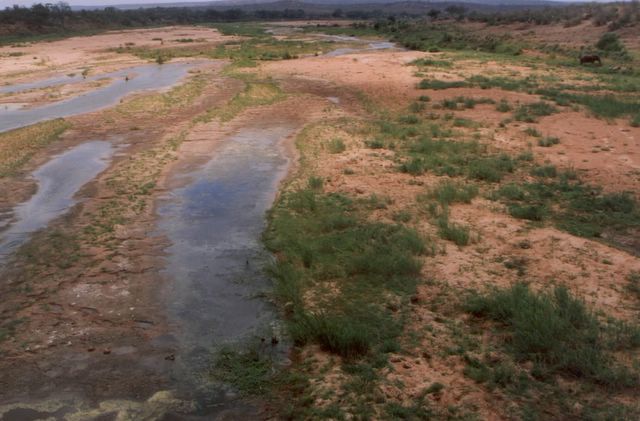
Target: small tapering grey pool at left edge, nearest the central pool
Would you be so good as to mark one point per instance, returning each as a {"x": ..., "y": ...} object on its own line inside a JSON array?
[{"x": 58, "y": 181}]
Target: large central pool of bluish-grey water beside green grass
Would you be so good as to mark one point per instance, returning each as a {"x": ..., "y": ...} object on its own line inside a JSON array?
[{"x": 216, "y": 261}]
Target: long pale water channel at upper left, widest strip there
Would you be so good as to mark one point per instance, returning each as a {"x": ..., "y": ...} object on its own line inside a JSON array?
[{"x": 147, "y": 77}]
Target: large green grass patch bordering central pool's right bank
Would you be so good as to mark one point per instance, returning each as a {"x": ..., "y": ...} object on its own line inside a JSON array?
[{"x": 325, "y": 238}]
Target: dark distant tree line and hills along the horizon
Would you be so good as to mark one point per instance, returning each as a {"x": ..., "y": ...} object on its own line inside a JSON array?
[{"x": 59, "y": 18}]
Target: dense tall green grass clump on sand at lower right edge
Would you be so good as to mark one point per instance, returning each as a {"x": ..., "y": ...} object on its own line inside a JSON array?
[{"x": 557, "y": 332}]
